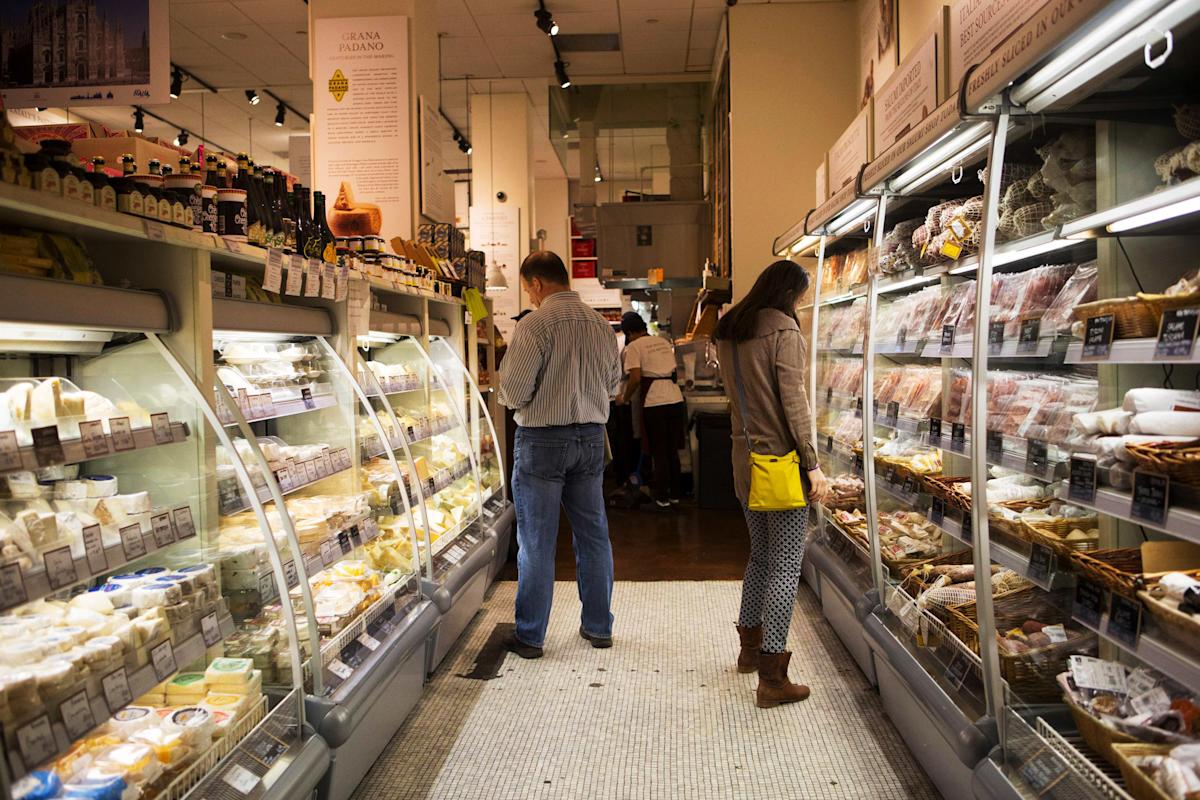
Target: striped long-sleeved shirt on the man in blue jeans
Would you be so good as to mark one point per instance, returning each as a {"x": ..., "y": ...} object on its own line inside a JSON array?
[{"x": 562, "y": 365}]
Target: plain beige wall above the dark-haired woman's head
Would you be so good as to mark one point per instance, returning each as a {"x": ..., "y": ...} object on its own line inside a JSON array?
[{"x": 793, "y": 93}]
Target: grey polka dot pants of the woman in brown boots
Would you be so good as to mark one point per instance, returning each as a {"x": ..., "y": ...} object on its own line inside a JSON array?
[{"x": 773, "y": 574}]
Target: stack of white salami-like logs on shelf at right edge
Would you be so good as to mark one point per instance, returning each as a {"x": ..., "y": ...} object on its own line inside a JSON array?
[{"x": 1148, "y": 416}]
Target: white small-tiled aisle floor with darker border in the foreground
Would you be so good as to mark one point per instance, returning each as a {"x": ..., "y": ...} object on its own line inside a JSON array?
[{"x": 661, "y": 715}]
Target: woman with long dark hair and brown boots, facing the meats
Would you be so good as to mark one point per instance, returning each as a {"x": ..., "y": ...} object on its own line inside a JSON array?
[{"x": 770, "y": 377}]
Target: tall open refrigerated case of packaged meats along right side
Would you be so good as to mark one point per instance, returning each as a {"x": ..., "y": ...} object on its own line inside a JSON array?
[{"x": 1030, "y": 376}]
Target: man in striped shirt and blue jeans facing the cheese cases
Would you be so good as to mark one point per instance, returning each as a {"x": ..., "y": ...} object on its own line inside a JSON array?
[{"x": 559, "y": 376}]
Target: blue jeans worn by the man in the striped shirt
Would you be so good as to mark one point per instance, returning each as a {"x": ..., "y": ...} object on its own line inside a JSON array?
[{"x": 551, "y": 467}]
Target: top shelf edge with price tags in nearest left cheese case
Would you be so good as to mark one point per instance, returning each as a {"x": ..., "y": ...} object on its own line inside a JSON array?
[{"x": 99, "y": 444}]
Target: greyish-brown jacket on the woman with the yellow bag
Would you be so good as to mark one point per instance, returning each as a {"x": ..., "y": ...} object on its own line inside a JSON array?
[{"x": 775, "y": 380}]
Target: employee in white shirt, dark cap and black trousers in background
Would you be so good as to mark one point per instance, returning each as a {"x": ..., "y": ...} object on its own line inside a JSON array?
[{"x": 651, "y": 368}]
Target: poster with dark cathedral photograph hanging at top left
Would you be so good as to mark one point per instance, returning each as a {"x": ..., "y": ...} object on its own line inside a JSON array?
[{"x": 70, "y": 53}]
